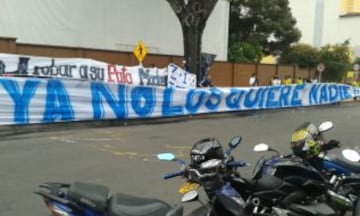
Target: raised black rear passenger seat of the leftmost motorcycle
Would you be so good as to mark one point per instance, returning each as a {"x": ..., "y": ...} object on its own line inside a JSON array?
[{"x": 92, "y": 196}]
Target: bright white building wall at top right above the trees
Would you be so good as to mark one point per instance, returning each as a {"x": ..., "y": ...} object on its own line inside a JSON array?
[{"x": 334, "y": 29}]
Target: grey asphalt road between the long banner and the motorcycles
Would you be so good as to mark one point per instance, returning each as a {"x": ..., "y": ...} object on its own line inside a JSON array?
[{"x": 124, "y": 157}]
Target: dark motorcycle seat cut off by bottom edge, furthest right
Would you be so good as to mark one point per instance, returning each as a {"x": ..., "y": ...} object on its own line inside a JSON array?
[{"x": 317, "y": 209}]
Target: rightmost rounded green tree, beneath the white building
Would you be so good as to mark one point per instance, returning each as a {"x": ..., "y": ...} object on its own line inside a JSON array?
[{"x": 336, "y": 59}]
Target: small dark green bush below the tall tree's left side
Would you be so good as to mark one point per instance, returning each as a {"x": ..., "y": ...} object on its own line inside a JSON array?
[{"x": 245, "y": 52}]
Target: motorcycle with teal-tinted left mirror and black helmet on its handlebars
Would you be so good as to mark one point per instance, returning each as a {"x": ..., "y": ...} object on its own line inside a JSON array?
[{"x": 222, "y": 199}]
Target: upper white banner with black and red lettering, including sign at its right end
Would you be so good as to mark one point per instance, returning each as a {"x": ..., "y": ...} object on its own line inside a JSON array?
[{"x": 91, "y": 70}]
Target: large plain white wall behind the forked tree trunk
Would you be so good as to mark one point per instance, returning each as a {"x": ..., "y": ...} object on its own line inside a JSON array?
[{"x": 108, "y": 24}]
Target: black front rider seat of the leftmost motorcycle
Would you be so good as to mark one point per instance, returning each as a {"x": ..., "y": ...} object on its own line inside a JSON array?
[{"x": 127, "y": 205}]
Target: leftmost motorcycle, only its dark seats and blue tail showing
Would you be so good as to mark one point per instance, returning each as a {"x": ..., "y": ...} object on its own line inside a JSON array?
[{"x": 85, "y": 199}]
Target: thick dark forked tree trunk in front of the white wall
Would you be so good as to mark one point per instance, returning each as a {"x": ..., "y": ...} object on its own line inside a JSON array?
[{"x": 193, "y": 15}]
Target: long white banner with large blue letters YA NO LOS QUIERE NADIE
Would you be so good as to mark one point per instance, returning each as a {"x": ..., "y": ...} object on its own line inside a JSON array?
[{"x": 31, "y": 100}]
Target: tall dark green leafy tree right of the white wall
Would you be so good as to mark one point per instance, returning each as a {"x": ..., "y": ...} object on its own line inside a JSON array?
[{"x": 267, "y": 23}]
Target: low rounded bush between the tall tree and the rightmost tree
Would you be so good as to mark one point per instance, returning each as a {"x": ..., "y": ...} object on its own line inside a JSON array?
[{"x": 304, "y": 55}]
